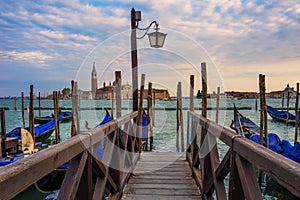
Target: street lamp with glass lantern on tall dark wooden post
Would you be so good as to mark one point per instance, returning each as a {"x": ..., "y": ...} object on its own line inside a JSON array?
[{"x": 156, "y": 40}]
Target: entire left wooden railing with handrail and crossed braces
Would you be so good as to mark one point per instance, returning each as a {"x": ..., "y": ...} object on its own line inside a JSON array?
[{"x": 120, "y": 151}]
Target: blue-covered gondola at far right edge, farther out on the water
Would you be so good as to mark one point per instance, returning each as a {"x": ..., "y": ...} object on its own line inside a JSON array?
[{"x": 282, "y": 116}]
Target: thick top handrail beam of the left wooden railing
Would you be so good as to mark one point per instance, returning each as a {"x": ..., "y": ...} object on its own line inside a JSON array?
[{"x": 16, "y": 177}]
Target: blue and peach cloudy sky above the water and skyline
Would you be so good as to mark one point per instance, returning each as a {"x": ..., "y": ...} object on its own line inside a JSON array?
[{"x": 49, "y": 43}]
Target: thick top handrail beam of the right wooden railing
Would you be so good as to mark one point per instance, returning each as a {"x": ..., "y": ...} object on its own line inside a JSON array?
[{"x": 283, "y": 170}]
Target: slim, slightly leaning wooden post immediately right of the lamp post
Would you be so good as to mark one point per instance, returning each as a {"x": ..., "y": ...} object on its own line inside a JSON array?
[{"x": 140, "y": 114}]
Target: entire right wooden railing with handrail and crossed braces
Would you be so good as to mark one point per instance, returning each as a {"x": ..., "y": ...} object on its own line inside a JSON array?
[{"x": 239, "y": 162}]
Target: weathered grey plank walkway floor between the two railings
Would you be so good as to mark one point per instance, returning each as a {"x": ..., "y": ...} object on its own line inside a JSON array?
[{"x": 162, "y": 176}]
